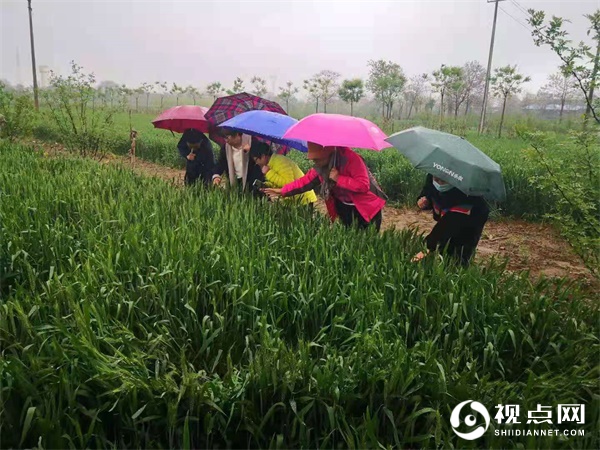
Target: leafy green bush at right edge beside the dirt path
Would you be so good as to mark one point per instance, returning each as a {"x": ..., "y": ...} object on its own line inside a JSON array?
[{"x": 569, "y": 170}]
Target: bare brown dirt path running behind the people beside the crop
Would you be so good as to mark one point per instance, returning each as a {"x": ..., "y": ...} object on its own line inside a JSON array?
[{"x": 526, "y": 245}]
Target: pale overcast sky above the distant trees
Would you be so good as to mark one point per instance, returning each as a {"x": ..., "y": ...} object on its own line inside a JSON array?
[{"x": 197, "y": 42}]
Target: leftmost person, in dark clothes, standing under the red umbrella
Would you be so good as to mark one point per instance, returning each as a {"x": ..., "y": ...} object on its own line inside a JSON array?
[{"x": 195, "y": 147}]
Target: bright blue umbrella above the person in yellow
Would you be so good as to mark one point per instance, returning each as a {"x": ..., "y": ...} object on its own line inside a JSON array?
[{"x": 267, "y": 125}]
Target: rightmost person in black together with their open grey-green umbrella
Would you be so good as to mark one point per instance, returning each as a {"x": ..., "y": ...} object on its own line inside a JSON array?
[{"x": 459, "y": 177}]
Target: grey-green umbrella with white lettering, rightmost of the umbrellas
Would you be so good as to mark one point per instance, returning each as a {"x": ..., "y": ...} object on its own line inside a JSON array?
[{"x": 452, "y": 159}]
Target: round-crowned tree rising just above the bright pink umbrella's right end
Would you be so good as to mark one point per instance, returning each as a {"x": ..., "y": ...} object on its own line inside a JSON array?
[{"x": 386, "y": 81}]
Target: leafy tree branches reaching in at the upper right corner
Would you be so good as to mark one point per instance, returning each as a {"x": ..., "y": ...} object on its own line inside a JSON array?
[{"x": 580, "y": 61}]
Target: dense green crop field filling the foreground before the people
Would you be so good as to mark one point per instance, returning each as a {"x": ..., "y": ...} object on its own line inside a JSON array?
[{"x": 133, "y": 314}]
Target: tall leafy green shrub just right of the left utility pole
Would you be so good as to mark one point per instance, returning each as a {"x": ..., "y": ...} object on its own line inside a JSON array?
[{"x": 82, "y": 124}]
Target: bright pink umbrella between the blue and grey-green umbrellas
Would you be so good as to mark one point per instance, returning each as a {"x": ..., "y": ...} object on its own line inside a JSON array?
[{"x": 331, "y": 130}]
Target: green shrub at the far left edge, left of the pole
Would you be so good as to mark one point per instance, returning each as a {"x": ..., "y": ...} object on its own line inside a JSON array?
[{"x": 16, "y": 113}]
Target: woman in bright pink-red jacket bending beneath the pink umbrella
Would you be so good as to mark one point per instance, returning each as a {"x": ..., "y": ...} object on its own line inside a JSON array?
[{"x": 349, "y": 189}]
